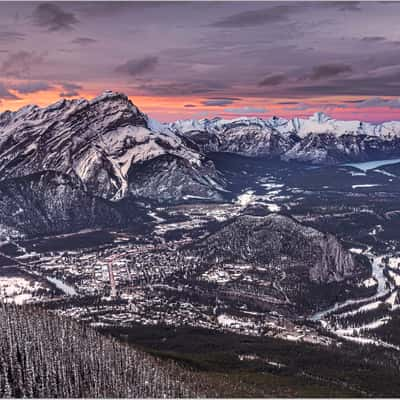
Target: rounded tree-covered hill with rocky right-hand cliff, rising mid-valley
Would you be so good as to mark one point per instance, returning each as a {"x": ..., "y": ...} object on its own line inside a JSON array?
[{"x": 276, "y": 240}]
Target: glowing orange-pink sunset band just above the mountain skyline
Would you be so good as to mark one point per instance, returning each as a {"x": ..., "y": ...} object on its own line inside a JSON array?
[{"x": 168, "y": 109}]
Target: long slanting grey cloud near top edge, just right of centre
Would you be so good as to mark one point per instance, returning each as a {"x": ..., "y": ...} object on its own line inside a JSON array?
[{"x": 255, "y": 17}]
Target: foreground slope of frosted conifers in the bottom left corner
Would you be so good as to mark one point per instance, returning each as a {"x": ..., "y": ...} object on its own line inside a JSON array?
[{"x": 43, "y": 355}]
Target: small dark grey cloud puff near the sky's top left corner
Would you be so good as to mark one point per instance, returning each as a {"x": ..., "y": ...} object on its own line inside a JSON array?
[{"x": 52, "y": 17}]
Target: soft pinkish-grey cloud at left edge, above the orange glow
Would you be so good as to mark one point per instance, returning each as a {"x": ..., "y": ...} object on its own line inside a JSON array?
[{"x": 19, "y": 64}]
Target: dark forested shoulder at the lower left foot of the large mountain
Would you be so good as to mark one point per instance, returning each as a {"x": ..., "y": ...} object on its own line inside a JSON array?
[{"x": 49, "y": 203}]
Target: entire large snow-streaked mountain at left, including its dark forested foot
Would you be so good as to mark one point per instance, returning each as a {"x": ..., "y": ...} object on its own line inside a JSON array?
[{"x": 80, "y": 164}]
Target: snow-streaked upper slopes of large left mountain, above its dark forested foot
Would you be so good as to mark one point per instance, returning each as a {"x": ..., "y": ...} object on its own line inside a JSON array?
[{"x": 100, "y": 141}]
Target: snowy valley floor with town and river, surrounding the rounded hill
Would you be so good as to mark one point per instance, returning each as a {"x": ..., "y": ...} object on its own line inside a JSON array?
[{"x": 162, "y": 278}]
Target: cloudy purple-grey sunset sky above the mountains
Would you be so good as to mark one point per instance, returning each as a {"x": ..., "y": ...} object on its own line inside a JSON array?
[{"x": 180, "y": 60}]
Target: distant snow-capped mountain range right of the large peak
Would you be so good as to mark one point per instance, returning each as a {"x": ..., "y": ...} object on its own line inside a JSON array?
[{"x": 318, "y": 139}]
